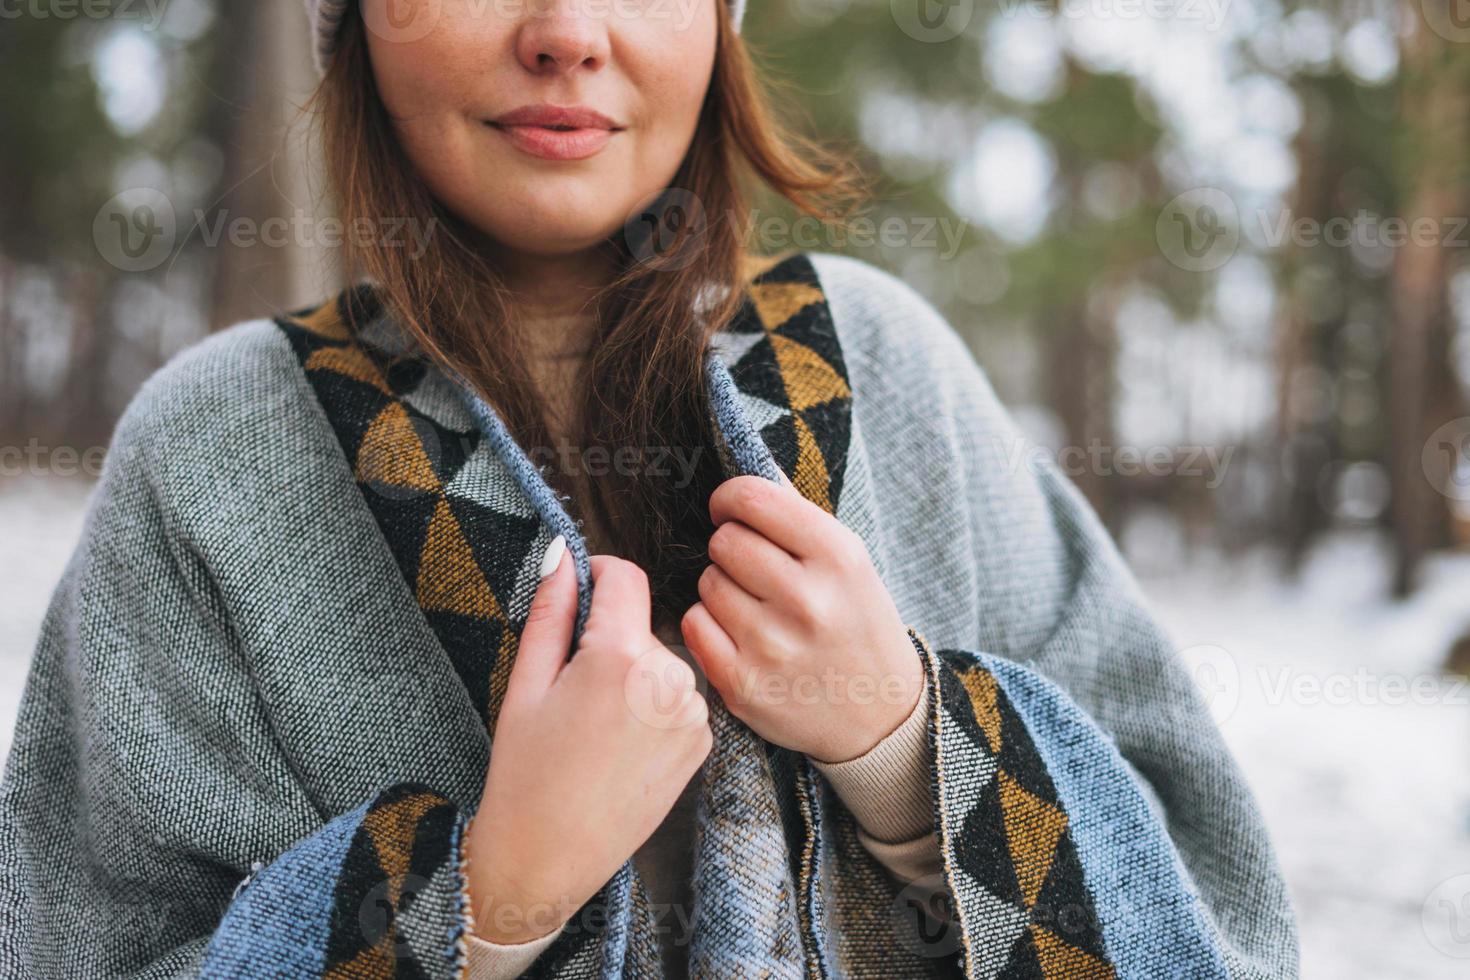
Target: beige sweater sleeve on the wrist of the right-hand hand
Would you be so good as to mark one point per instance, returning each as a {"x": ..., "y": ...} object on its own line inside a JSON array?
[{"x": 887, "y": 790}]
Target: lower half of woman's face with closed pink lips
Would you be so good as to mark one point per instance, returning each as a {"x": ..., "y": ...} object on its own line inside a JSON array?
[{"x": 449, "y": 71}]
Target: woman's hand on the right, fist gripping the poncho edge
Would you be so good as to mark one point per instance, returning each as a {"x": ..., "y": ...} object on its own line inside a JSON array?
[{"x": 796, "y": 630}]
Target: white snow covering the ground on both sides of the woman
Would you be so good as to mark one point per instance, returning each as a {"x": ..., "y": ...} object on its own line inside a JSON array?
[{"x": 1330, "y": 696}]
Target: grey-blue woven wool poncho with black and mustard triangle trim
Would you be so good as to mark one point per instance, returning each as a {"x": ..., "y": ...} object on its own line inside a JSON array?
[{"x": 267, "y": 688}]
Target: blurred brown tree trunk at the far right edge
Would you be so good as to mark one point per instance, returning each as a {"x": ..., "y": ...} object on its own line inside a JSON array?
[{"x": 1424, "y": 389}]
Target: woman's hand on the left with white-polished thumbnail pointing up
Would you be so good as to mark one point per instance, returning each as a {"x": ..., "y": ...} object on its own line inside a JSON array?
[{"x": 589, "y": 756}]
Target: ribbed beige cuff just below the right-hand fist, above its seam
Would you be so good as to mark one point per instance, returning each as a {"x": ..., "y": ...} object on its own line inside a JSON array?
[{"x": 887, "y": 788}]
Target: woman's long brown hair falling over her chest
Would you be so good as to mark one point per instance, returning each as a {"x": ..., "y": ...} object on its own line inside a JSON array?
[{"x": 678, "y": 283}]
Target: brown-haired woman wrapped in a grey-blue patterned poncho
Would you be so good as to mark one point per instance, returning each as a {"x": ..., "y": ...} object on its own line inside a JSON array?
[{"x": 919, "y": 722}]
